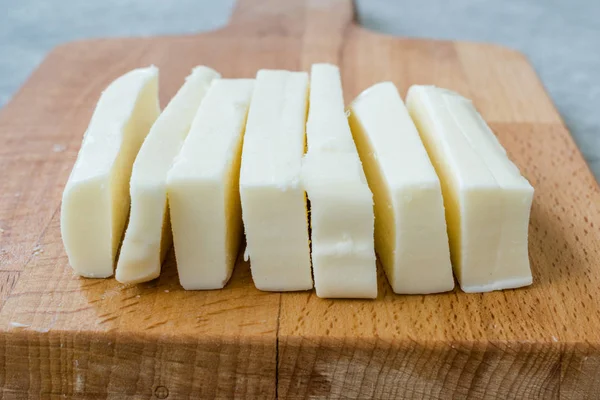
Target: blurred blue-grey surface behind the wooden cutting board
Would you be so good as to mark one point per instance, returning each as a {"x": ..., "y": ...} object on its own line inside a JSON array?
[{"x": 560, "y": 37}]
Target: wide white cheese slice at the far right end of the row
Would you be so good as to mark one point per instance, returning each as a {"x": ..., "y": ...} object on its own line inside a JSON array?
[{"x": 487, "y": 200}]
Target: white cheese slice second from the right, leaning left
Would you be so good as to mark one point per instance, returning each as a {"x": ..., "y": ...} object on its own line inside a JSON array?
[{"x": 410, "y": 229}]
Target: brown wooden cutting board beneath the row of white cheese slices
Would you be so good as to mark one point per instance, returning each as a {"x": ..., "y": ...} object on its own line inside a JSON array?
[{"x": 60, "y": 334}]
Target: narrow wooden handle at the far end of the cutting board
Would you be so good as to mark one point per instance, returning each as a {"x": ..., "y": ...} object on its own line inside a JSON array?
[{"x": 292, "y": 17}]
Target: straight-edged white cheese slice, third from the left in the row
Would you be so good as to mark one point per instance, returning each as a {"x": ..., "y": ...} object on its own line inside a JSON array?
[{"x": 203, "y": 188}]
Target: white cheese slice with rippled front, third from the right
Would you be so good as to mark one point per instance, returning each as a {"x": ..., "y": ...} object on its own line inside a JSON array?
[{"x": 343, "y": 254}]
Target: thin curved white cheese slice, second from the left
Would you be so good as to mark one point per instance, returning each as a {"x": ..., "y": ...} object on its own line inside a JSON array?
[{"x": 148, "y": 235}]
